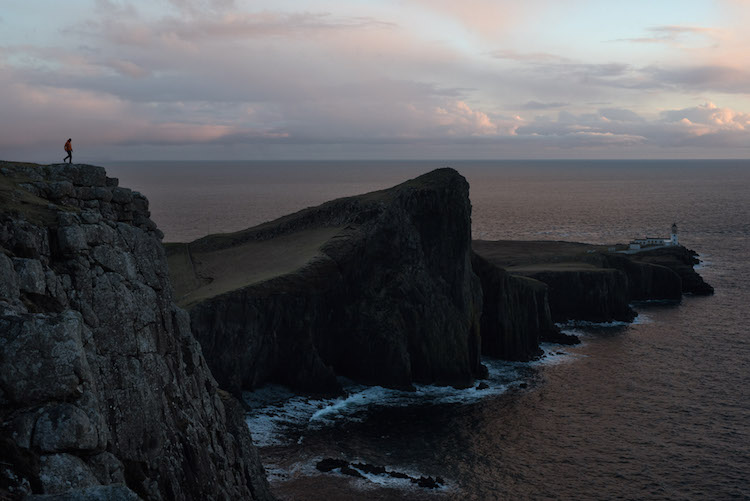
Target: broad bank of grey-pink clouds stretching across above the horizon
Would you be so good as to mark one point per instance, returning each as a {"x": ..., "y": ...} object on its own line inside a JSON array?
[{"x": 209, "y": 73}]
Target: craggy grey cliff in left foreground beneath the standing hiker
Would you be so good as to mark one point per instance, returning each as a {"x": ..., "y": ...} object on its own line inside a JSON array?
[{"x": 104, "y": 392}]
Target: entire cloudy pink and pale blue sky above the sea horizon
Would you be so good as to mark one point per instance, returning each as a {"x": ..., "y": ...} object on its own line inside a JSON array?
[{"x": 374, "y": 79}]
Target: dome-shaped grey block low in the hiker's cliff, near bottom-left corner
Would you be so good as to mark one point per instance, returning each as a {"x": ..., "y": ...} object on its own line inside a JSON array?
[{"x": 64, "y": 427}]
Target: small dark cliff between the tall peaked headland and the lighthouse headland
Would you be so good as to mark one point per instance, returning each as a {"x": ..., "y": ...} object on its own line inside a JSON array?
[{"x": 515, "y": 315}]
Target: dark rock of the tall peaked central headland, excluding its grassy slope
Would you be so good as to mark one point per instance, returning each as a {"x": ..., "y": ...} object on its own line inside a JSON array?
[{"x": 389, "y": 299}]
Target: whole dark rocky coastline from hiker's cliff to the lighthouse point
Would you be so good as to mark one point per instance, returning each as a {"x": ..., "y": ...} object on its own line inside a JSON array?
[{"x": 107, "y": 384}]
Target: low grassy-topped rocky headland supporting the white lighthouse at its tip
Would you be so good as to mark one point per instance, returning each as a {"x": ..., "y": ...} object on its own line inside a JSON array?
[{"x": 594, "y": 282}]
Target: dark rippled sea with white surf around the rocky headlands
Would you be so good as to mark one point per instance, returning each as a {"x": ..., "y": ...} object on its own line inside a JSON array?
[{"x": 656, "y": 409}]
